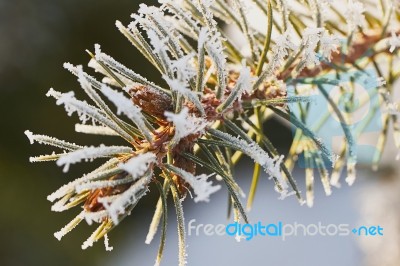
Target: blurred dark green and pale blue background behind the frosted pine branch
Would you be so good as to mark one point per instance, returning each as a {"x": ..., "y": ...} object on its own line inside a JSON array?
[{"x": 36, "y": 38}]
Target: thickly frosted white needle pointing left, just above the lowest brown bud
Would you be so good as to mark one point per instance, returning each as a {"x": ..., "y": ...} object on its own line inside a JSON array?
[{"x": 90, "y": 153}]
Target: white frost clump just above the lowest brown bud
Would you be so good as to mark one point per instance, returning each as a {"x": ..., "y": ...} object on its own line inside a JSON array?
[{"x": 138, "y": 165}]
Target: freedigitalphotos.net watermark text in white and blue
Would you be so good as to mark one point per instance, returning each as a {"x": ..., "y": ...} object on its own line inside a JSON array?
[{"x": 281, "y": 230}]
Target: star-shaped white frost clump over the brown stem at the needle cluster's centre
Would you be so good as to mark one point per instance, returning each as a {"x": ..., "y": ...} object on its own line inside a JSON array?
[{"x": 185, "y": 124}]
